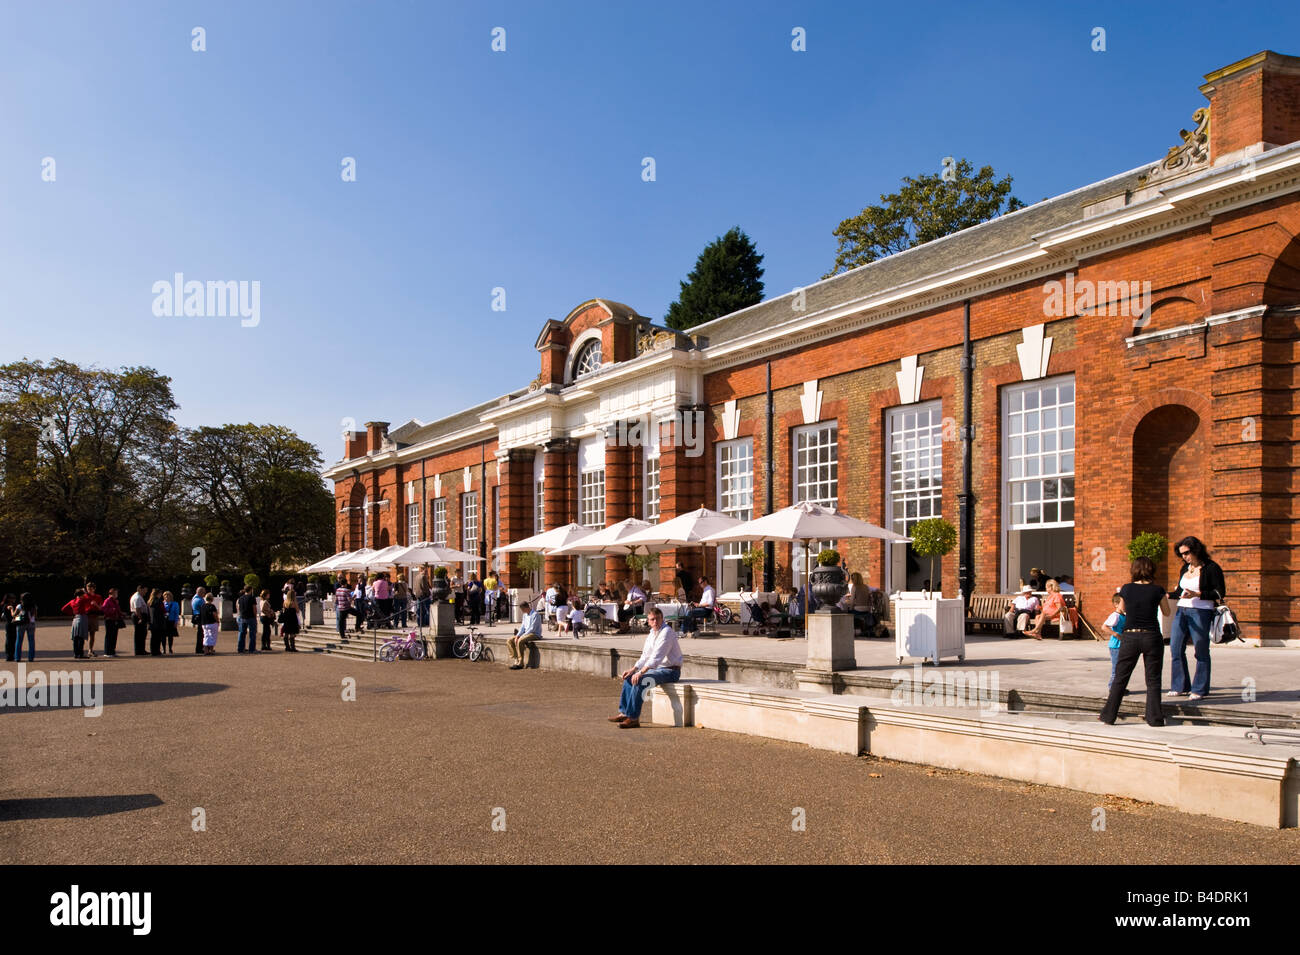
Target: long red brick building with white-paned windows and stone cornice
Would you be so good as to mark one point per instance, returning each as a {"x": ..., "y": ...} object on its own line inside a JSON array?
[{"x": 1117, "y": 359}]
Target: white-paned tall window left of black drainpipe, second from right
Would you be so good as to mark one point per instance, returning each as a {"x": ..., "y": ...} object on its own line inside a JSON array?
[{"x": 916, "y": 465}]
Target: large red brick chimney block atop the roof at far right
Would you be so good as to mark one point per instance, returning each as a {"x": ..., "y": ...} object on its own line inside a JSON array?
[{"x": 1255, "y": 106}]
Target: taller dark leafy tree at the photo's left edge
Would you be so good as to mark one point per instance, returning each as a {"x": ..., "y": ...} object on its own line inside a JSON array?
[{"x": 90, "y": 481}]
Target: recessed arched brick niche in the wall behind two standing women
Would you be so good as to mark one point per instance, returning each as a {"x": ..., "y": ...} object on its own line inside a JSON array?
[{"x": 1171, "y": 477}]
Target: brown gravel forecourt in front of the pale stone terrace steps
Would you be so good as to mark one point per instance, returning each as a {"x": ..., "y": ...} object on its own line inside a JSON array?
[{"x": 413, "y": 771}]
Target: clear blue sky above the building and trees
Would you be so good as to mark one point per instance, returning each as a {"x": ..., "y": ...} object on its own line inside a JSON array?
[{"x": 517, "y": 170}]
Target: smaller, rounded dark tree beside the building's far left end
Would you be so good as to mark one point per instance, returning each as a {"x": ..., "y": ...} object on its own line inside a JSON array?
[{"x": 261, "y": 493}]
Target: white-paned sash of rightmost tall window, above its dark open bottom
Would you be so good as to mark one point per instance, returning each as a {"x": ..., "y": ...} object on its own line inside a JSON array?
[{"x": 1041, "y": 455}]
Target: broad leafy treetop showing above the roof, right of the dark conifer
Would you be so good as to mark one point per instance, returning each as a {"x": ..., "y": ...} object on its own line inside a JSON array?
[{"x": 925, "y": 209}]
